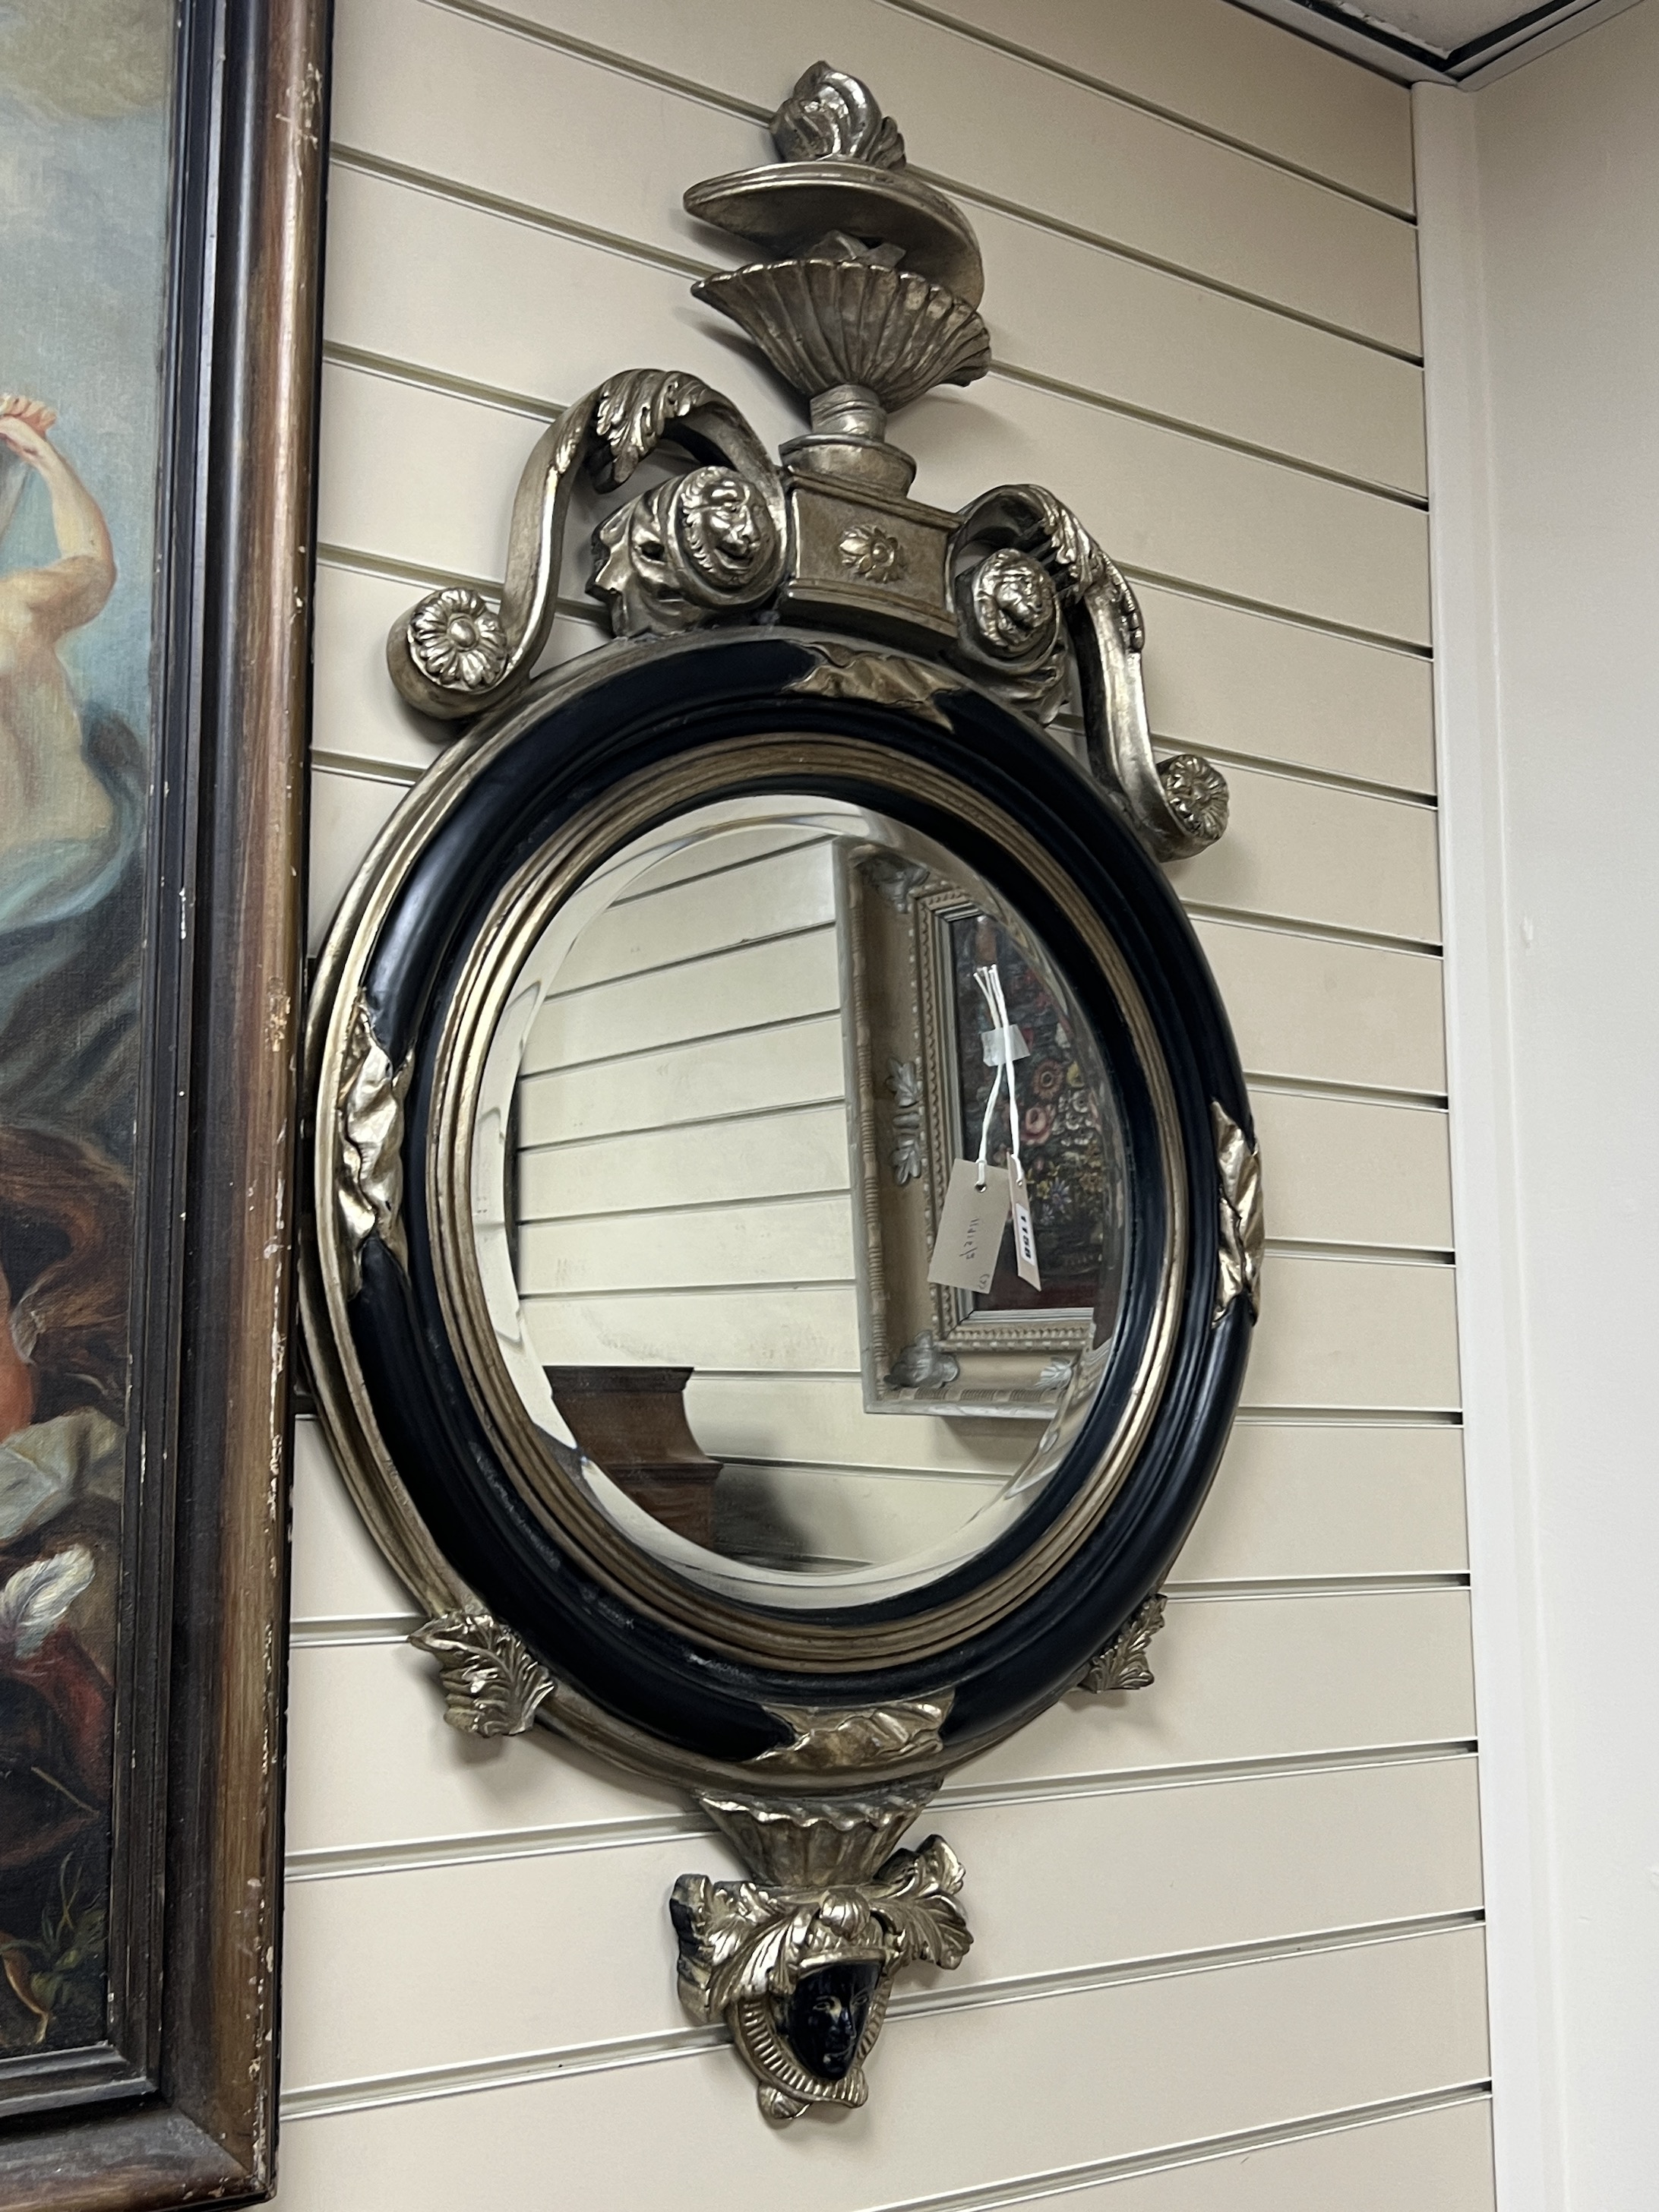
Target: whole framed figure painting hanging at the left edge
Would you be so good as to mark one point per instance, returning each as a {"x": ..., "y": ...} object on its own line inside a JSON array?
[{"x": 160, "y": 178}]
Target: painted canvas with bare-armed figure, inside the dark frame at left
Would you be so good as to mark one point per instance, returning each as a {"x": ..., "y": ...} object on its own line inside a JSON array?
[{"x": 83, "y": 278}]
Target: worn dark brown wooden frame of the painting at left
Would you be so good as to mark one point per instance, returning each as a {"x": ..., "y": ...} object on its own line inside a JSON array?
[{"x": 178, "y": 2100}]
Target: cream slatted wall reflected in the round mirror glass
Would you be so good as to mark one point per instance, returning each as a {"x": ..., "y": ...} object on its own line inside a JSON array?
[{"x": 685, "y": 1193}]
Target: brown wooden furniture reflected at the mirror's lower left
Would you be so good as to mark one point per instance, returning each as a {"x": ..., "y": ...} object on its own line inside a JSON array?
[{"x": 632, "y": 1421}]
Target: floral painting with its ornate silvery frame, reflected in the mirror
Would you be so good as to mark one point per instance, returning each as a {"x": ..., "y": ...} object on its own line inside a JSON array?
[{"x": 924, "y": 1096}]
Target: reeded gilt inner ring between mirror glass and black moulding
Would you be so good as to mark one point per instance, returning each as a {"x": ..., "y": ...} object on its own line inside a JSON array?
[{"x": 514, "y": 924}]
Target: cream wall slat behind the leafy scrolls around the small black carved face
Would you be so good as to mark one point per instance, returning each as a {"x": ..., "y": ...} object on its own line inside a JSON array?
[{"x": 1306, "y": 1855}]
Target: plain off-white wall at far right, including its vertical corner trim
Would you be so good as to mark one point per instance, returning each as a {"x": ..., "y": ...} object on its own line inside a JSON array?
[{"x": 1541, "y": 202}]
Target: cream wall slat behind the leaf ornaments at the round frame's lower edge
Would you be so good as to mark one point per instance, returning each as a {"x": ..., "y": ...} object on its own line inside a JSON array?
[{"x": 373, "y": 1762}]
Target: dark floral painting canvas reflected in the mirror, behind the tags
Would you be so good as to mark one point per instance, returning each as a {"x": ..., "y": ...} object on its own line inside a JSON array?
[{"x": 1061, "y": 1134}]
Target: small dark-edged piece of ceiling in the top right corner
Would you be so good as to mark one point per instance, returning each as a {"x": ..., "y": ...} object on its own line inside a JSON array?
[{"x": 1441, "y": 41}]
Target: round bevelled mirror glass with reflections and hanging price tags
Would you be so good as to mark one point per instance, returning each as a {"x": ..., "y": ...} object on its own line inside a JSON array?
[{"x": 755, "y": 1136}]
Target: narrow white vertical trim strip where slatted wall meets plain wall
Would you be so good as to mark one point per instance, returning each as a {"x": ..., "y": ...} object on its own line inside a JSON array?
[{"x": 1492, "y": 1311}]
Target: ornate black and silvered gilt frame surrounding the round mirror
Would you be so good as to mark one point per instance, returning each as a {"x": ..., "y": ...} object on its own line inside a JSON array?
[{"x": 784, "y": 627}]
